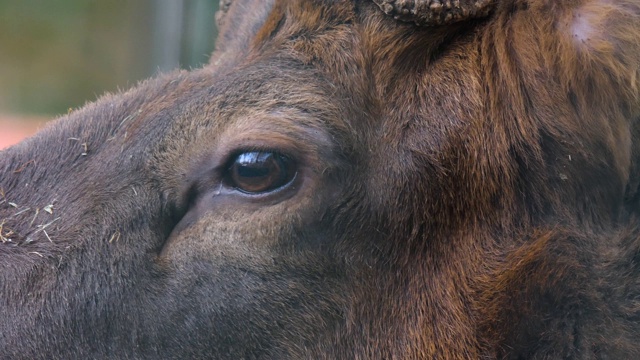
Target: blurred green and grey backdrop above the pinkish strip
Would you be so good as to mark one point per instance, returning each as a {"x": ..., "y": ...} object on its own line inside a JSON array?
[{"x": 59, "y": 54}]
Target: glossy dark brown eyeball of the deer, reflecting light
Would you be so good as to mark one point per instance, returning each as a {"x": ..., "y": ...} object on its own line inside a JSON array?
[{"x": 258, "y": 172}]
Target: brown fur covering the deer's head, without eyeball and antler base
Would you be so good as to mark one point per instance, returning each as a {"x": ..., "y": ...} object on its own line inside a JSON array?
[{"x": 465, "y": 191}]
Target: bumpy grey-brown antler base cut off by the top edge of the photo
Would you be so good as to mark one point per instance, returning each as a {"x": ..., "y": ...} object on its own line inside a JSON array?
[{"x": 435, "y": 12}]
